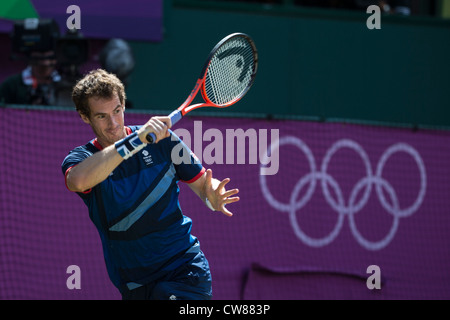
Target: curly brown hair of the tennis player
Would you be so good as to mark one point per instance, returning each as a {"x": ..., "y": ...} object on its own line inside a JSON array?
[{"x": 99, "y": 84}]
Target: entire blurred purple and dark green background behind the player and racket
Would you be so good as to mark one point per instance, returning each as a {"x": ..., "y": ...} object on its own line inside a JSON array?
[{"x": 323, "y": 77}]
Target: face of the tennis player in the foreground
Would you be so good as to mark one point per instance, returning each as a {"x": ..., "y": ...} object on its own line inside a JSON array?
[{"x": 106, "y": 119}]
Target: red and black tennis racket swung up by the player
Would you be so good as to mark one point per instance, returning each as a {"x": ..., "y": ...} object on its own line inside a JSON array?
[{"x": 227, "y": 75}]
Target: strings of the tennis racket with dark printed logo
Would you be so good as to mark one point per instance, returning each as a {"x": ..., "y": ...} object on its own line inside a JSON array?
[{"x": 230, "y": 72}]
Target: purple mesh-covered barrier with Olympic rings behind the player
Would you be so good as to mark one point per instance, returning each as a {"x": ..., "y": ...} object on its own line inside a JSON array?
[{"x": 306, "y": 231}]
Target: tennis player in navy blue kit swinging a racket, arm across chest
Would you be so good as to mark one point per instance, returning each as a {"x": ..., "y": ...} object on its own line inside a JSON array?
[{"x": 131, "y": 190}]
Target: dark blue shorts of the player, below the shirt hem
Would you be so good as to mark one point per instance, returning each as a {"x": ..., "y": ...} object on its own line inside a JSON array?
[{"x": 191, "y": 281}]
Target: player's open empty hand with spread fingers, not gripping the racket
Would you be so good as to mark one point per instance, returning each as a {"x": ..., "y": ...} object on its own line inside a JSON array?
[{"x": 217, "y": 194}]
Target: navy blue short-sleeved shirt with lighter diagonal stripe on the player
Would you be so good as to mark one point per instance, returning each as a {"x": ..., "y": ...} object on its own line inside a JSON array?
[{"x": 137, "y": 213}]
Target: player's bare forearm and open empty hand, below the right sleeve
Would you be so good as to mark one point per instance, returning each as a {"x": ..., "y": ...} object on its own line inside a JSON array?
[{"x": 207, "y": 187}]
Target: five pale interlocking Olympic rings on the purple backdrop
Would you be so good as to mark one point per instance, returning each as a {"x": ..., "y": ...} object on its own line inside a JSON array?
[{"x": 352, "y": 206}]
